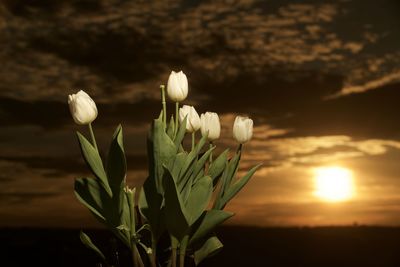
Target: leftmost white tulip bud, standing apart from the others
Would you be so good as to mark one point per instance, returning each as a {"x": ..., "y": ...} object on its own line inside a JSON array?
[{"x": 83, "y": 109}]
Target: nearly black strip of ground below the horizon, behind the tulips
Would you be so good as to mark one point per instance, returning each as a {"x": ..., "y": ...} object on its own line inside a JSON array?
[{"x": 295, "y": 247}]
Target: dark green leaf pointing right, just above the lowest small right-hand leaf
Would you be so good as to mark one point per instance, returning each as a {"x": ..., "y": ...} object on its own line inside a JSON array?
[{"x": 210, "y": 220}]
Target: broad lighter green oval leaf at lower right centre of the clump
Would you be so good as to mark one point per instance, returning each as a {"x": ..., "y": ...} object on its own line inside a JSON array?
[{"x": 199, "y": 198}]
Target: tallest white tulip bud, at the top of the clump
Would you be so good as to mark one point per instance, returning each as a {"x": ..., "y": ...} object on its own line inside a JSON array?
[{"x": 177, "y": 87}]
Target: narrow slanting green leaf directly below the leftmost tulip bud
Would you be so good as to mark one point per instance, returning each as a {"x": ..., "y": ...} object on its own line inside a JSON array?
[{"x": 93, "y": 160}]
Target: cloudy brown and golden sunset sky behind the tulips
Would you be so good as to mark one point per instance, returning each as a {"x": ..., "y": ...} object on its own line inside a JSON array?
[{"x": 320, "y": 79}]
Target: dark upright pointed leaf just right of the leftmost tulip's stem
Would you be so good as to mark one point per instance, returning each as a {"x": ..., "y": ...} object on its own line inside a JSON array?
[{"x": 116, "y": 161}]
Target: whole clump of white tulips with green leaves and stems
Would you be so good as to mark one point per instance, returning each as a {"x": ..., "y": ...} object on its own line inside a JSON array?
[{"x": 185, "y": 193}]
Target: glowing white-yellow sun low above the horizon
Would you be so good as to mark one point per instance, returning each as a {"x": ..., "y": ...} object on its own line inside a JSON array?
[{"x": 333, "y": 184}]
